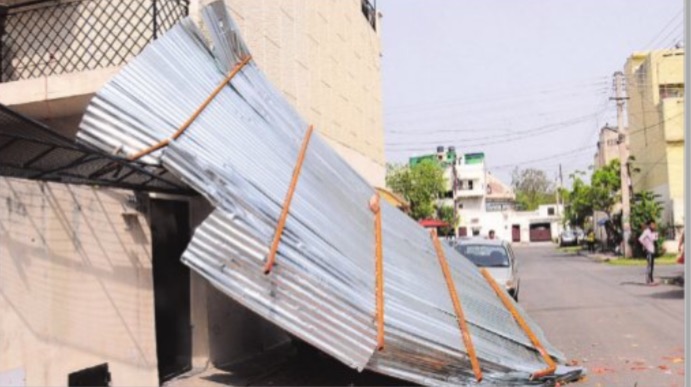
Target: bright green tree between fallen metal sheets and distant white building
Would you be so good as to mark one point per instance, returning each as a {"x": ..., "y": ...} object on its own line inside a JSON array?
[{"x": 420, "y": 185}]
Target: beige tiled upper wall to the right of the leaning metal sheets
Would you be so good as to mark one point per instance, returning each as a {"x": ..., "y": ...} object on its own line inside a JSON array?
[{"x": 325, "y": 58}]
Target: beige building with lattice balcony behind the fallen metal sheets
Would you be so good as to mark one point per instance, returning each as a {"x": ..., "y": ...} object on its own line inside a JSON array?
[{"x": 90, "y": 277}]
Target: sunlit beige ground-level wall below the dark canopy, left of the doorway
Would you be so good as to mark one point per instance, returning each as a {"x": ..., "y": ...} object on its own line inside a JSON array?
[{"x": 75, "y": 284}]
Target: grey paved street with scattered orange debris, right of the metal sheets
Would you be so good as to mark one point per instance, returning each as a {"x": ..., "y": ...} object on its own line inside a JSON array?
[{"x": 602, "y": 316}]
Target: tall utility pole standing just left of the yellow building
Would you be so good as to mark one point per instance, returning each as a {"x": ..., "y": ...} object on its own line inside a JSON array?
[{"x": 623, "y": 162}]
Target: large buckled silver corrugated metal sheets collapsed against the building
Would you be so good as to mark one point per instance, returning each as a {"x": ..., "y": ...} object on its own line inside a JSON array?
[{"x": 240, "y": 153}]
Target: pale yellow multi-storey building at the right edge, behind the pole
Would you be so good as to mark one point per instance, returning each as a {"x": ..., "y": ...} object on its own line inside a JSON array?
[{"x": 655, "y": 87}]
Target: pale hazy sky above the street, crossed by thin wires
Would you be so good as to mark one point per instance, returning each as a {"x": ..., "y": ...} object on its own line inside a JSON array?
[{"x": 526, "y": 82}]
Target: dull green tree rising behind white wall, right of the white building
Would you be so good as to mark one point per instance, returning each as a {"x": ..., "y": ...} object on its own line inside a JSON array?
[{"x": 532, "y": 188}]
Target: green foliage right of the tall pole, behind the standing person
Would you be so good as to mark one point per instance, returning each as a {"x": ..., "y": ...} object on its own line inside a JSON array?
[{"x": 645, "y": 206}]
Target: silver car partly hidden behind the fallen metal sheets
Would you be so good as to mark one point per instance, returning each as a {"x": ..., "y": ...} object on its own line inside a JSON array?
[{"x": 495, "y": 255}]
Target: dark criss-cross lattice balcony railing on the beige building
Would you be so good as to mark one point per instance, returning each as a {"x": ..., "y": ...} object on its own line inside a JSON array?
[{"x": 50, "y": 37}]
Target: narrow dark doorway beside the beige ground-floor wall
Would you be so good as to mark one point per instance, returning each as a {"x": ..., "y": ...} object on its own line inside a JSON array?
[{"x": 170, "y": 233}]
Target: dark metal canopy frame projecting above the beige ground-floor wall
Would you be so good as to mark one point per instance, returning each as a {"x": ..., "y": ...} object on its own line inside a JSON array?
[{"x": 31, "y": 150}]
